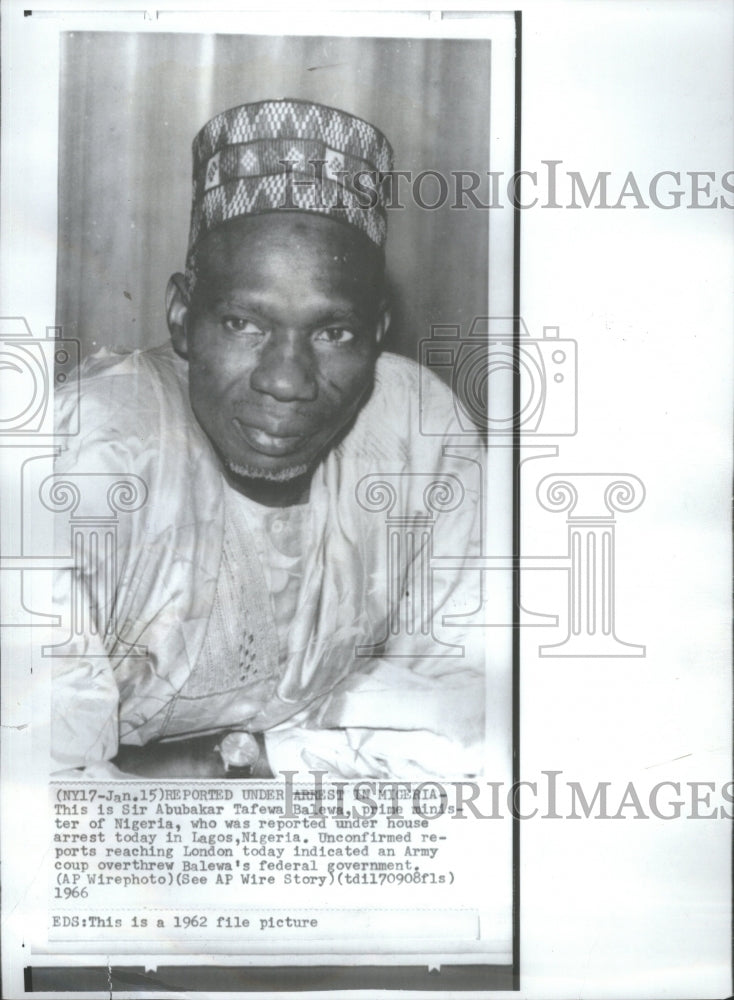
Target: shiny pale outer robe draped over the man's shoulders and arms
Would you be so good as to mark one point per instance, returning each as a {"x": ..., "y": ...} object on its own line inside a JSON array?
[{"x": 405, "y": 712}]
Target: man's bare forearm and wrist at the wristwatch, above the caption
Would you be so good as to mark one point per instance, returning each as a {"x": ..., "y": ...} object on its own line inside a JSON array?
[{"x": 197, "y": 757}]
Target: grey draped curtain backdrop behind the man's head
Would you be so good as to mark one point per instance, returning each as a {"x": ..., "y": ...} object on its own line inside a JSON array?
[{"x": 131, "y": 104}]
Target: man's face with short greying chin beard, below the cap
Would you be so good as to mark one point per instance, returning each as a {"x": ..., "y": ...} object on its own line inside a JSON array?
[{"x": 281, "y": 337}]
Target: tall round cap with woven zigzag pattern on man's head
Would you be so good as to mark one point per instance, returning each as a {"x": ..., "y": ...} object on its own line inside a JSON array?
[{"x": 289, "y": 154}]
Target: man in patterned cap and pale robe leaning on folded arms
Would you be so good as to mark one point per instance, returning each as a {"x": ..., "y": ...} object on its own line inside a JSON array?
[{"x": 252, "y": 622}]
